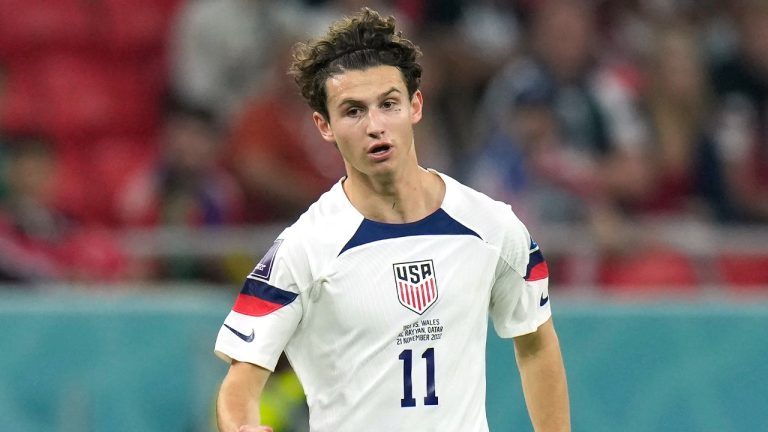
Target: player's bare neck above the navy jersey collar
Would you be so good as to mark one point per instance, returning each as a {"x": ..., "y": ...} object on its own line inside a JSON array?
[{"x": 407, "y": 198}]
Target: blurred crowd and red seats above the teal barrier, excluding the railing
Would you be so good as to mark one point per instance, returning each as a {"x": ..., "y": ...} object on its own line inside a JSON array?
[{"x": 601, "y": 114}]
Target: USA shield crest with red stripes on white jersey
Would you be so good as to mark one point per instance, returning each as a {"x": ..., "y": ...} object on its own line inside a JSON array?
[{"x": 416, "y": 285}]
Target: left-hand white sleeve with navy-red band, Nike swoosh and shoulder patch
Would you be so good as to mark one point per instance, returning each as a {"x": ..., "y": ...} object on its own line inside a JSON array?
[{"x": 267, "y": 310}]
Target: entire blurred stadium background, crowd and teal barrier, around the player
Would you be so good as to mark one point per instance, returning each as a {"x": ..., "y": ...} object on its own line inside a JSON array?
[{"x": 130, "y": 212}]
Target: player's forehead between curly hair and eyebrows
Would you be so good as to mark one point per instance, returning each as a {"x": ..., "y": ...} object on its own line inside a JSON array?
[{"x": 363, "y": 84}]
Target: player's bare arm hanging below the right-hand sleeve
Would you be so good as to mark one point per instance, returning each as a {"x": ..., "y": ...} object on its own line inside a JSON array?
[{"x": 543, "y": 377}]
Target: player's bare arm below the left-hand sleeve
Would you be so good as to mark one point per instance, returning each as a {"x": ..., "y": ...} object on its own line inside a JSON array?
[{"x": 237, "y": 408}]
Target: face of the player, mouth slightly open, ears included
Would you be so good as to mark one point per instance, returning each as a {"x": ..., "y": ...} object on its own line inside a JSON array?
[{"x": 371, "y": 120}]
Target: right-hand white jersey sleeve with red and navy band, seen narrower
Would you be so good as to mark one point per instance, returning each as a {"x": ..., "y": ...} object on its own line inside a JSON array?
[{"x": 520, "y": 295}]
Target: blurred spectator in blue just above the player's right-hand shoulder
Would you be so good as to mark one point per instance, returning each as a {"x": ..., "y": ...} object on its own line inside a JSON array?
[{"x": 508, "y": 166}]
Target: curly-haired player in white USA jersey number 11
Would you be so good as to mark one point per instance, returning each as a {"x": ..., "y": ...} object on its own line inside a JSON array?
[{"x": 380, "y": 293}]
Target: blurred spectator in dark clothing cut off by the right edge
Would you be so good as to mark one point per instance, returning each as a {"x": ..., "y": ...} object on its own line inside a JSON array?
[{"x": 741, "y": 84}]
